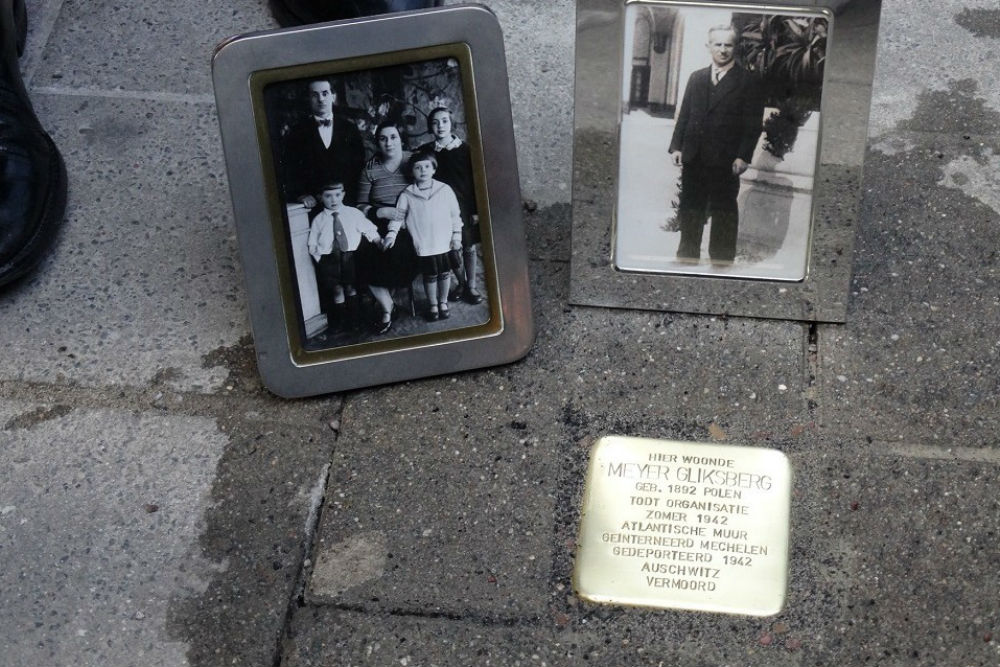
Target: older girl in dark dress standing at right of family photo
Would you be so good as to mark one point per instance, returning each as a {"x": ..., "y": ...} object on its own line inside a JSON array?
[{"x": 455, "y": 169}]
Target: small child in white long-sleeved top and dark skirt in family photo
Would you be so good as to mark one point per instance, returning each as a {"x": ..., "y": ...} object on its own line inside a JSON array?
[{"x": 434, "y": 221}]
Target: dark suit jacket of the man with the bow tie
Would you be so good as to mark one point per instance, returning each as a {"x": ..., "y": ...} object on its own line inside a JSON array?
[{"x": 308, "y": 165}]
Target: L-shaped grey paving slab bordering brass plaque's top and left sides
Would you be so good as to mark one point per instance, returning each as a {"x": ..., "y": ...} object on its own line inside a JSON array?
[{"x": 439, "y": 490}]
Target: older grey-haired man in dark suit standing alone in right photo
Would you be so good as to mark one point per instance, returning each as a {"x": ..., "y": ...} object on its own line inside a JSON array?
[{"x": 715, "y": 134}]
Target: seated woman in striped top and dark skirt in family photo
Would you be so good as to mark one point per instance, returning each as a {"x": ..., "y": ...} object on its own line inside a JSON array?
[{"x": 394, "y": 264}]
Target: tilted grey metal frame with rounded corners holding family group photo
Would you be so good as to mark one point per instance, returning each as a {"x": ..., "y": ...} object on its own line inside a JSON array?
[{"x": 376, "y": 198}]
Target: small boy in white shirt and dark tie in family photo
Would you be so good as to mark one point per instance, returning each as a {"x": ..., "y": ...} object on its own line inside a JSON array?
[{"x": 334, "y": 235}]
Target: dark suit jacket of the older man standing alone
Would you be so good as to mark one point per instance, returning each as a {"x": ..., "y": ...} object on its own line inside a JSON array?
[{"x": 713, "y": 128}]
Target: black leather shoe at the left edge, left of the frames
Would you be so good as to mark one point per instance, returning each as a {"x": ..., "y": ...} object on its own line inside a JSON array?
[{"x": 32, "y": 175}]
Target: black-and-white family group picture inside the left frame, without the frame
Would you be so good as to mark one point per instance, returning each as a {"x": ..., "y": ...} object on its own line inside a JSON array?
[{"x": 375, "y": 173}]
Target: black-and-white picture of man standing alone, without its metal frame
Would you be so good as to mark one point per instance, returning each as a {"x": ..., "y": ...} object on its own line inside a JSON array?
[{"x": 719, "y": 138}]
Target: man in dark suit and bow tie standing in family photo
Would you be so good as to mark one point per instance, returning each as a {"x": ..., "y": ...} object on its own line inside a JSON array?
[{"x": 321, "y": 148}]
